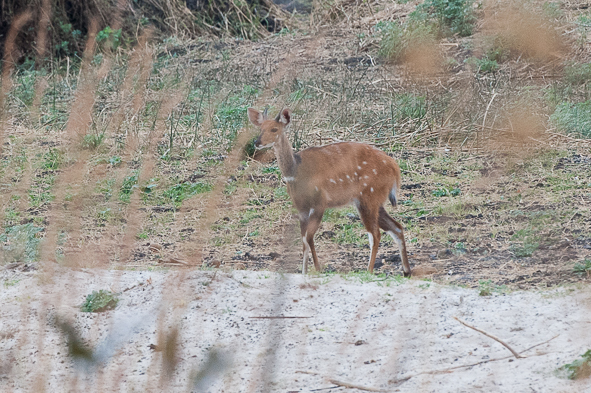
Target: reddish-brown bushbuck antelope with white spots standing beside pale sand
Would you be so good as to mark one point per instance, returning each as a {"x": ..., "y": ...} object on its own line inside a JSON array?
[{"x": 332, "y": 176}]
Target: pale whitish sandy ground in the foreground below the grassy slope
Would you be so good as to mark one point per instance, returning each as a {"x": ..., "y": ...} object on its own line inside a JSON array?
[{"x": 373, "y": 335}]
